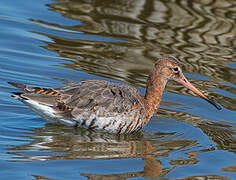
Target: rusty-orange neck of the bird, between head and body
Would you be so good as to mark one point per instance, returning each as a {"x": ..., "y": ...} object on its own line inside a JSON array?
[{"x": 154, "y": 91}]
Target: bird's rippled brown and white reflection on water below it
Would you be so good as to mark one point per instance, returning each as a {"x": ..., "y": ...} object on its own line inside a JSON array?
[{"x": 55, "y": 142}]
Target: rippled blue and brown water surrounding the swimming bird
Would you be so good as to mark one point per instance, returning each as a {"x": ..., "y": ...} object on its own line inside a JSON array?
[{"x": 52, "y": 42}]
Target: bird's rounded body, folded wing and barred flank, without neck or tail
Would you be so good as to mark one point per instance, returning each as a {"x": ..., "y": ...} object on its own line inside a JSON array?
[{"x": 99, "y": 104}]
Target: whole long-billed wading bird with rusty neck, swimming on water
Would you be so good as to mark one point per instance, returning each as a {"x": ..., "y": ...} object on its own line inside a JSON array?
[{"x": 103, "y": 105}]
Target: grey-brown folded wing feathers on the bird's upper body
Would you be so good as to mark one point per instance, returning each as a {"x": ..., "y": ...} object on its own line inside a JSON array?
[{"x": 100, "y": 95}]
